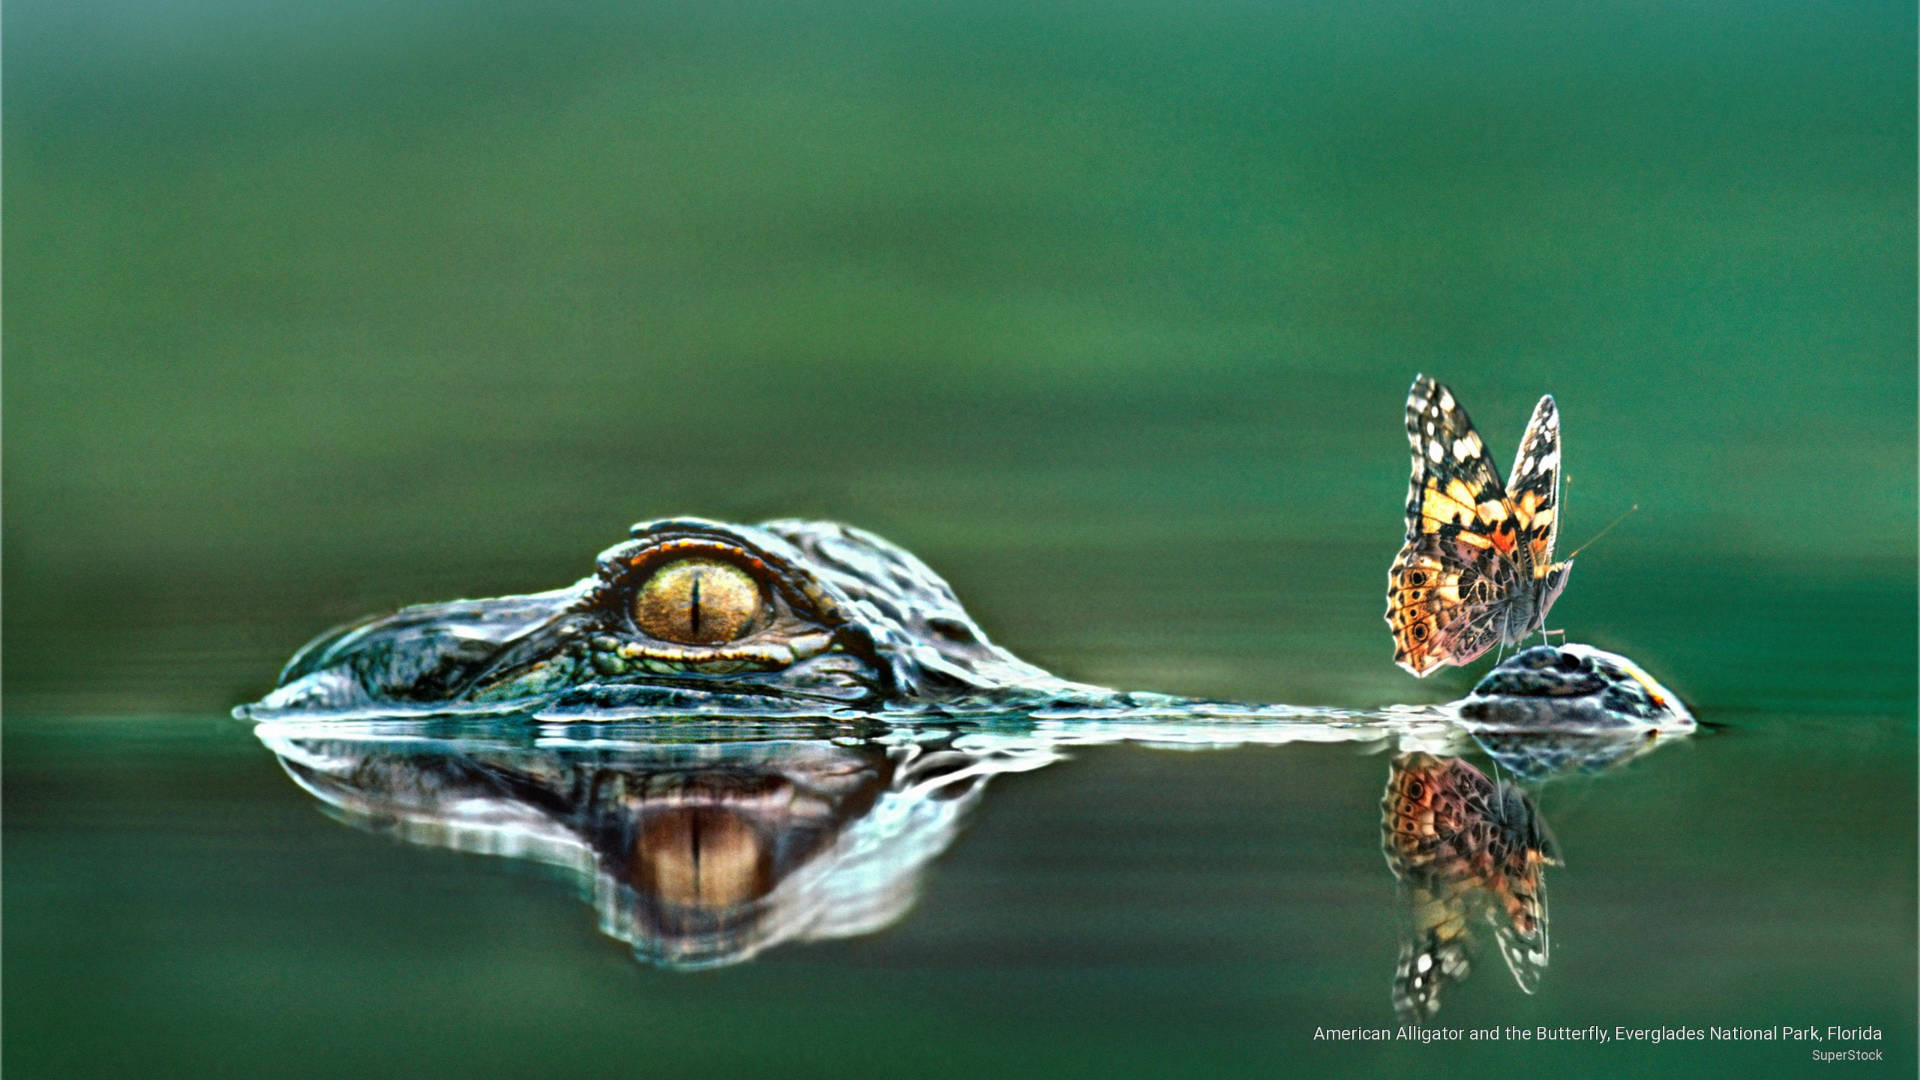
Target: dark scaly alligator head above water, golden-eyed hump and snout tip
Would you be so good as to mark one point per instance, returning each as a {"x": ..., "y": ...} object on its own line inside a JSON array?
[{"x": 798, "y": 620}]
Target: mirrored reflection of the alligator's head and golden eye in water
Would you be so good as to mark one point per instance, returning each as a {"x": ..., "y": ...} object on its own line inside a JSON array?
[{"x": 694, "y": 852}]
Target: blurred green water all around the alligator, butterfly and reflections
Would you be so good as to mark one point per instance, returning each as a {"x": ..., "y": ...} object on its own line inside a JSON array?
[{"x": 1109, "y": 316}]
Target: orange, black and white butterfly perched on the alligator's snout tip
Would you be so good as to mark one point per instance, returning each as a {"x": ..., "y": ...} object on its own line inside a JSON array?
[{"x": 1477, "y": 566}]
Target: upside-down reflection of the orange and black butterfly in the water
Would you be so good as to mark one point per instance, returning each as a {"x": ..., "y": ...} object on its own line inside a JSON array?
[{"x": 1464, "y": 848}]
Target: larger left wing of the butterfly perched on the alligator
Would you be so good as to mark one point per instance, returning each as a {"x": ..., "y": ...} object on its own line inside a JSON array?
[{"x": 1449, "y": 589}]
